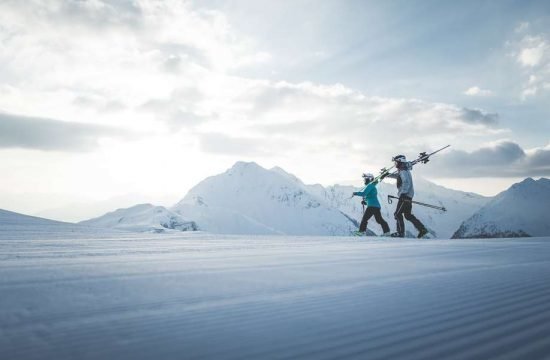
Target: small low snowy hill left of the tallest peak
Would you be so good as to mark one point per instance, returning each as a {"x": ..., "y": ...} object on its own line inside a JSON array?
[{"x": 143, "y": 217}]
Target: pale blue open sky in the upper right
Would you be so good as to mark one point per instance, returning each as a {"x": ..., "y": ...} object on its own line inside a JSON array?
[{"x": 430, "y": 50}]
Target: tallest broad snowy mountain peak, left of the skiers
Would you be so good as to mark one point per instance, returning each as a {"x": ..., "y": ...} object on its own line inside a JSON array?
[{"x": 248, "y": 199}]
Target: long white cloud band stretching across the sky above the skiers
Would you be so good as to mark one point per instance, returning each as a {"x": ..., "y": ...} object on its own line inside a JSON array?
[{"x": 336, "y": 110}]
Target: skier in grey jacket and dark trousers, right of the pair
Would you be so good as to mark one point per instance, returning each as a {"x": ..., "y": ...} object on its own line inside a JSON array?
[{"x": 406, "y": 193}]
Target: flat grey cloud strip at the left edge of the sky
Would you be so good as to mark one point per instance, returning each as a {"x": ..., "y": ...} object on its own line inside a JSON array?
[{"x": 46, "y": 134}]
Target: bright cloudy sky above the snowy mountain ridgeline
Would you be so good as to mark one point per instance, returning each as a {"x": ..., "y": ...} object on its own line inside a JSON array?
[{"x": 144, "y": 99}]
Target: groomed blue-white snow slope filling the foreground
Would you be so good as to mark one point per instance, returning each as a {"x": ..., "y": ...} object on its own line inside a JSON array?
[{"x": 194, "y": 295}]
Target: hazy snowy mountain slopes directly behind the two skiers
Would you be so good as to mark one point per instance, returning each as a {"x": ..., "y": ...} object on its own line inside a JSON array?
[{"x": 460, "y": 205}]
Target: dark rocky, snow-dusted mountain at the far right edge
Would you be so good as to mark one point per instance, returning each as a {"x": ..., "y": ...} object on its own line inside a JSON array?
[{"x": 520, "y": 211}]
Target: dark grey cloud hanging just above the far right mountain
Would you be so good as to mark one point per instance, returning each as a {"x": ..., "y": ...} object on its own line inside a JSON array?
[{"x": 500, "y": 159}]
